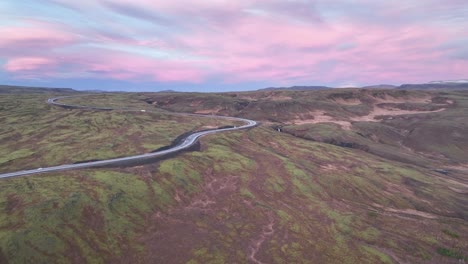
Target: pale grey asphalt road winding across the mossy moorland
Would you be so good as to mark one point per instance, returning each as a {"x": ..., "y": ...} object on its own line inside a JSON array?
[{"x": 183, "y": 144}]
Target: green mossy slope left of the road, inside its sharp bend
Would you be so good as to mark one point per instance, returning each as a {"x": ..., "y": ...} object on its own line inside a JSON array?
[{"x": 34, "y": 134}]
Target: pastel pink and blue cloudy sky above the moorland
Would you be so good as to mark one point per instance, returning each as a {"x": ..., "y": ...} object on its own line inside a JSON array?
[{"x": 226, "y": 45}]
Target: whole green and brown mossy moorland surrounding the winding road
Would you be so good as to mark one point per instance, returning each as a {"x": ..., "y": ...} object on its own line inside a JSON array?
[{"x": 328, "y": 176}]
